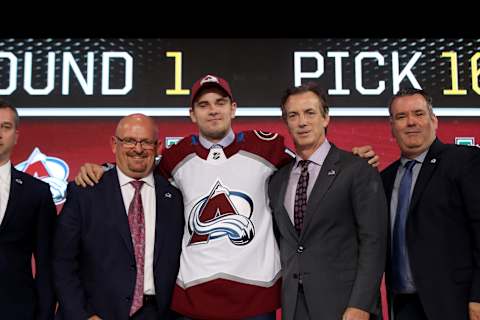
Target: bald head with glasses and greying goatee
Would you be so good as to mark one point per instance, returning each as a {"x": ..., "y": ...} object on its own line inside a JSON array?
[{"x": 135, "y": 145}]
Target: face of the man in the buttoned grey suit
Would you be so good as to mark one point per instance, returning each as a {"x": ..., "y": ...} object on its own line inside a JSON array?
[{"x": 306, "y": 121}]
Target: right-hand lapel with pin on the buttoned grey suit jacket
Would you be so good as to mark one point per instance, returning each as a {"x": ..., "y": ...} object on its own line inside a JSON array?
[{"x": 329, "y": 171}]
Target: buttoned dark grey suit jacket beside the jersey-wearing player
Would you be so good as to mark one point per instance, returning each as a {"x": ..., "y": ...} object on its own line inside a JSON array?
[{"x": 340, "y": 253}]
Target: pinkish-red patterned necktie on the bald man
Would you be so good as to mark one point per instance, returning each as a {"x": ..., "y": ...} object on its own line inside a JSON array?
[{"x": 136, "y": 220}]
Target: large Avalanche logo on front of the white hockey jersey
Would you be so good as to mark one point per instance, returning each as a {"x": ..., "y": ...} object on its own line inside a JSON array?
[{"x": 223, "y": 213}]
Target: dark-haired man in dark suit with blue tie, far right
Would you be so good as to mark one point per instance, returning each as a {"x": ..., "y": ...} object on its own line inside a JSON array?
[{"x": 433, "y": 270}]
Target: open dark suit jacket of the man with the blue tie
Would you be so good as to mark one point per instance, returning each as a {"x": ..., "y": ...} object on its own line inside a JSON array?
[{"x": 443, "y": 229}]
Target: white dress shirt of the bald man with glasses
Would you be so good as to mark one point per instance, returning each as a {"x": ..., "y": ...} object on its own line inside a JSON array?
[{"x": 149, "y": 211}]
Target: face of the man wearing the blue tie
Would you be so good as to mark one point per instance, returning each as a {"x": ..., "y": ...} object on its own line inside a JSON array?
[{"x": 413, "y": 124}]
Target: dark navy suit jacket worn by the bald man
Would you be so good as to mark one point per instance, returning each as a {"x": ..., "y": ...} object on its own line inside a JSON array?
[{"x": 94, "y": 262}]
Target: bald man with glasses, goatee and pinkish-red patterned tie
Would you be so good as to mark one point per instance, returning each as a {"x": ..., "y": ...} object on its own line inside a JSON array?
[{"x": 117, "y": 245}]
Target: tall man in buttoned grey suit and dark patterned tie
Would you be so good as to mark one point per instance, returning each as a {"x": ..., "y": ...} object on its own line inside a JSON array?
[{"x": 330, "y": 213}]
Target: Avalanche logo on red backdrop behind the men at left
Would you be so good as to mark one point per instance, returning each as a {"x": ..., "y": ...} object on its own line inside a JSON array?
[{"x": 51, "y": 170}]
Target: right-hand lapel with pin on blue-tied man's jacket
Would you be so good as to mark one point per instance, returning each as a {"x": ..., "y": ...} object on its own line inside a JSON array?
[{"x": 428, "y": 167}]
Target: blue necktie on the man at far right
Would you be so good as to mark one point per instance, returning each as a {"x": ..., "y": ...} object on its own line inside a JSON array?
[{"x": 399, "y": 246}]
